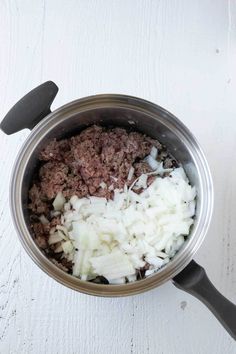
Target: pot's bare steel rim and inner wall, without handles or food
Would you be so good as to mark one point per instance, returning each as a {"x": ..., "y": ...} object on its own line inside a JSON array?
[{"x": 129, "y": 112}]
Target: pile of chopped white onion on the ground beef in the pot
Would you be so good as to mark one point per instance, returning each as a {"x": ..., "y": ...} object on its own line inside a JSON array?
[{"x": 116, "y": 237}]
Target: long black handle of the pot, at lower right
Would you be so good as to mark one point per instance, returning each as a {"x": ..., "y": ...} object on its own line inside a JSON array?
[{"x": 193, "y": 280}]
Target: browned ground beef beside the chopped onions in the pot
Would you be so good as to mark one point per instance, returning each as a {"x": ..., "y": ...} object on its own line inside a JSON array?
[{"x": 78, "y": 166}]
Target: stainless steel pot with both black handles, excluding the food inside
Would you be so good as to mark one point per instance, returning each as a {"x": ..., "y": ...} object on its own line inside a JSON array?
[{"x": 33, "y": 112}]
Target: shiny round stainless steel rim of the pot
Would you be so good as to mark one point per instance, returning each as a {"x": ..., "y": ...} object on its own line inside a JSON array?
[{"x": 184, "y": 255}]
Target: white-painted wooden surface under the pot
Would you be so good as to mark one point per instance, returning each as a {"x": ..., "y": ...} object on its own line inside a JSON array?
[{"x": 180, "y": 54}]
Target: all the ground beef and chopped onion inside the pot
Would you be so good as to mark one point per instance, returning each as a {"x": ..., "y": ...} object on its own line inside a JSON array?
[{"x": 111, "y": 206}]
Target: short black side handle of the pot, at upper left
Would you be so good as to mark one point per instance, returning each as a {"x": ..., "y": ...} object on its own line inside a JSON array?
[{"x": 31, "y": 109}]
